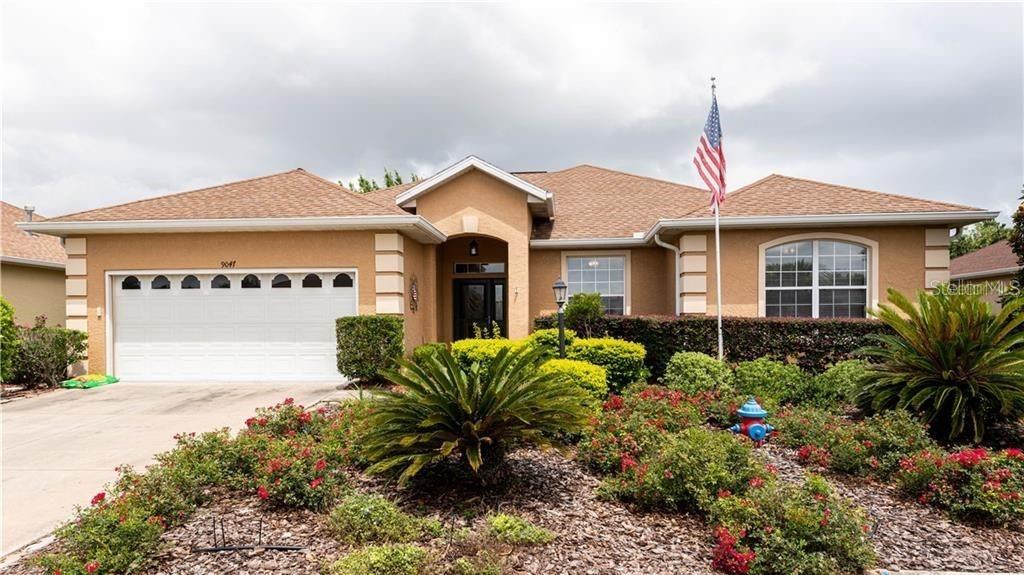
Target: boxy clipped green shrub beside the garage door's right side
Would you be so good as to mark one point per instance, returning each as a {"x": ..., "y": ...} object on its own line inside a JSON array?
[{"x": 369, "y": 345}]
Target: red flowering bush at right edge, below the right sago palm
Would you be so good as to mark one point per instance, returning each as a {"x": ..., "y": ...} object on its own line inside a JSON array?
[{"x": 972, "y": 483}]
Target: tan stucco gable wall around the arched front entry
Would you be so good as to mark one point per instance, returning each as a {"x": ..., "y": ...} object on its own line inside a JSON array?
[{"x": 478, "y": 204}]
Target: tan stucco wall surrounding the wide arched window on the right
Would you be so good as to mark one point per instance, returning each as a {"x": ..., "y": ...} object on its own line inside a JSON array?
[{"x": 902, "y": 262}]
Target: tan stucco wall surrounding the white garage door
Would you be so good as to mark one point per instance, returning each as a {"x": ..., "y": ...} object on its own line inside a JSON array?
[{"x": 206, "y": 251}]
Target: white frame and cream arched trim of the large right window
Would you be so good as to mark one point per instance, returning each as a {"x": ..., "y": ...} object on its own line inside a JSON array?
[{"x": 872, "y": 299}]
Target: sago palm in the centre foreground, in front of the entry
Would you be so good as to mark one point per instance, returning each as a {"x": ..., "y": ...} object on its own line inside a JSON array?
[{"x": 443, "y": 411}]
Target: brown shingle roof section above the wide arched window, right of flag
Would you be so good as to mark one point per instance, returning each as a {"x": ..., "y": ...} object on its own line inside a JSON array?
[{"x": 784, "y": 196}]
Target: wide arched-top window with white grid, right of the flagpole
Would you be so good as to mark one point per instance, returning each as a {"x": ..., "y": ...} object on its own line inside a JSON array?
[{"x": 817, "y": 279}]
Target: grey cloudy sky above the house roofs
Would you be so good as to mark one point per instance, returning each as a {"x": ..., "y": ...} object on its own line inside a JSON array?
[{"x": 109, "y": 104}]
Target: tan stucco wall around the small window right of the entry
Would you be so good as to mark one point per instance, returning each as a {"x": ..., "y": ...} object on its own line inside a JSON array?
[{"x": 651, "y": 276}]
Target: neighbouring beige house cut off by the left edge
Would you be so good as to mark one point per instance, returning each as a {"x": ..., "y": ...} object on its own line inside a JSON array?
[{"x": 32, "y": 270}]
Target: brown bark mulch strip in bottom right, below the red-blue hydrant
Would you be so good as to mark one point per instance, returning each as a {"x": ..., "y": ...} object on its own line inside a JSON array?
[{"x": 909, "y": 536}]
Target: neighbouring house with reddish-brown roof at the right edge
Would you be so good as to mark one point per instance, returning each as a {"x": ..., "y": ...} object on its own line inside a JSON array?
[{"x": 990, "y": 273}]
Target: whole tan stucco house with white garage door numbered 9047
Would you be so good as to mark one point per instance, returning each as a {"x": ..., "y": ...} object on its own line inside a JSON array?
[{"x": 243, "y": 281}]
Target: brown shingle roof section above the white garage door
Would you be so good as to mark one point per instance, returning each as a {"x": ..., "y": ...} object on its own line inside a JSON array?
[{"x": 290, "y": 195}]
